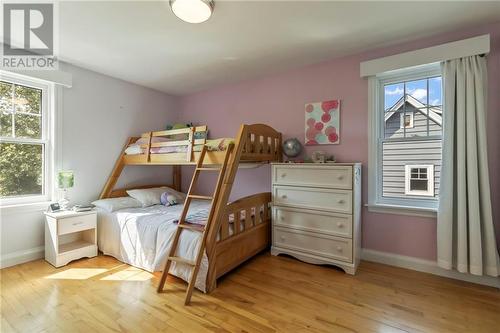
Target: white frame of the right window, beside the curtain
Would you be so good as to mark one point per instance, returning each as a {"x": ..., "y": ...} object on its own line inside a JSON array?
[{"x": 417, "y": 206}]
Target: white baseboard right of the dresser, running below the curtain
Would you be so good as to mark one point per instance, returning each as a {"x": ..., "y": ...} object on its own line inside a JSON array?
[{"x": 426, "y": 266}]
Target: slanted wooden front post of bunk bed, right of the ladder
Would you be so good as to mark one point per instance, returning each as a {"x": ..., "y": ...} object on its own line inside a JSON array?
[{"x": 221, "y": 206}]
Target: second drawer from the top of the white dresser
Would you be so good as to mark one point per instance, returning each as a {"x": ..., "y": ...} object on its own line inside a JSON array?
[{"x": 316, "y": 198}]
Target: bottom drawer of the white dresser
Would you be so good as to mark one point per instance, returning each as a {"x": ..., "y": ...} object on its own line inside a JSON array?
[{"x": 321, "y": 245}]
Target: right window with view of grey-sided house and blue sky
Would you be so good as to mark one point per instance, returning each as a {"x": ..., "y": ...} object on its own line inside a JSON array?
[{"x": 406, "y": 138}]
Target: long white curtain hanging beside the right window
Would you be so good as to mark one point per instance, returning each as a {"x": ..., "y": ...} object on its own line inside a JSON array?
[{"x": 466, "y": 235}]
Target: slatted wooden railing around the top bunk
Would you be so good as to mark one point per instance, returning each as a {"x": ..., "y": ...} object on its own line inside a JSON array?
[{"x": 260, "y": 143}]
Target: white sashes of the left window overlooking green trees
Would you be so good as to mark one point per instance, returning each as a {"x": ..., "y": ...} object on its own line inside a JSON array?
[{"x": 46, "y": 130}]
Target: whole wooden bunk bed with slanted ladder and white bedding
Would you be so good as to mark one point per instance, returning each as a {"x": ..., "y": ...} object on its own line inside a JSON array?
[{"x": 236, "y": 231}]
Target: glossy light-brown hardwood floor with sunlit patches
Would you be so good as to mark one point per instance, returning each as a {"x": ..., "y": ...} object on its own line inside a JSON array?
[{"x": 268, "y": 294}]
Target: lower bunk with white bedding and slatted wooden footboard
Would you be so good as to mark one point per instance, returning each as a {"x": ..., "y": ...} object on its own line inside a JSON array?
[{"x": 142, "y": 237}]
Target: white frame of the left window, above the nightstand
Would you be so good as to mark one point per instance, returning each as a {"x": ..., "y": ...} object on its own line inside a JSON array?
[{"x": 47, "y": 139}]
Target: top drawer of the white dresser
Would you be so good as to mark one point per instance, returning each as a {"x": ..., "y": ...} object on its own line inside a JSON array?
[{"x": 313, "y": 175}]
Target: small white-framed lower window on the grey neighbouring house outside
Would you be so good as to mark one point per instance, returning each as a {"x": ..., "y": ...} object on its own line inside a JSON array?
[{"x": 419, "y": 180}]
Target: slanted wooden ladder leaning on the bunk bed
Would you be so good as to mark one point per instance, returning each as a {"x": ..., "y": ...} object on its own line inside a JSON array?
[{"x": 182, "y": 225}]
